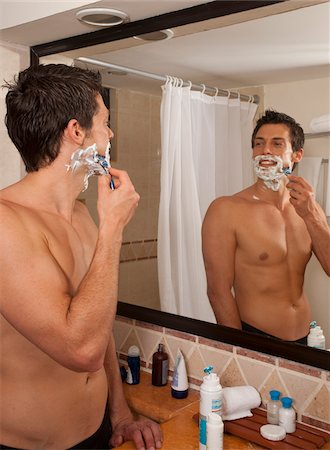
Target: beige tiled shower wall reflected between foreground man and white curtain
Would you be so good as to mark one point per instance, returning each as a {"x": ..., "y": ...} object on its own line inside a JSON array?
[{"x": 134, "y": 118}]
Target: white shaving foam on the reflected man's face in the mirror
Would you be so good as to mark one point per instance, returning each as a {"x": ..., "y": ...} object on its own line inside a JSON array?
[{"x": 271, "y": 174}]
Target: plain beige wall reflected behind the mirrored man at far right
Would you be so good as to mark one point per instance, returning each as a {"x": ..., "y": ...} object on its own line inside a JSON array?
[{"x": 305, "y": 100}]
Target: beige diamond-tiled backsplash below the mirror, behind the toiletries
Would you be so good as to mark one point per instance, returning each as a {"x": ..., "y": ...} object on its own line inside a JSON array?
[{"x": 236, "y": 366}]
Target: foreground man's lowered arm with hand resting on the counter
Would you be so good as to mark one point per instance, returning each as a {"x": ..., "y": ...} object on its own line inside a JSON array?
[{"x": 145, "y": 433}]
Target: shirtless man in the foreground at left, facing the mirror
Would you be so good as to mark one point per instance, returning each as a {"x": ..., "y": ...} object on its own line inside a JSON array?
[{"x": 60, "y": 379}]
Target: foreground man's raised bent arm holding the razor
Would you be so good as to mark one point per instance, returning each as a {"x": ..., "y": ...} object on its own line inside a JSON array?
[{"x": 37, "y": 296}]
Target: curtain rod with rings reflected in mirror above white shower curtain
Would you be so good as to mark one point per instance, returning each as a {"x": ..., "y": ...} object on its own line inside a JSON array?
[{"x": 223, "y": 92}]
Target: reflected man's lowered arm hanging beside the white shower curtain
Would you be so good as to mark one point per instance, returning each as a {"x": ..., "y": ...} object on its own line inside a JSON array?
[{"x": 219, "y": 247}]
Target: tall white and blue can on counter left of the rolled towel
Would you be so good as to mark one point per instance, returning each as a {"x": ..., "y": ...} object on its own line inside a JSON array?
[{"x": 210, "y": 402}]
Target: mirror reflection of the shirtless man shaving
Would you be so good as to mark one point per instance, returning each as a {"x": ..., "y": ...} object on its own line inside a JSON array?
[{"x": 257, "y": 243}]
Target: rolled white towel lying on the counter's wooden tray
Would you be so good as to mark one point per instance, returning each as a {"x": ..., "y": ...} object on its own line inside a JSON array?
[{"x": 238, "y": 401}]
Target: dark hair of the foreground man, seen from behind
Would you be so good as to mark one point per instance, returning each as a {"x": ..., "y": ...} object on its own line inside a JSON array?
[{"x": 40, "y": 103}]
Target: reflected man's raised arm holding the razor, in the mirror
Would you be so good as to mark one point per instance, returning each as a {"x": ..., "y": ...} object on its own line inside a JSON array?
[{"x": 303, "y": 200}]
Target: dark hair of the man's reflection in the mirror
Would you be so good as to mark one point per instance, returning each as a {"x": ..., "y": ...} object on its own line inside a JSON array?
[{"x": 274, "y": 117}]
